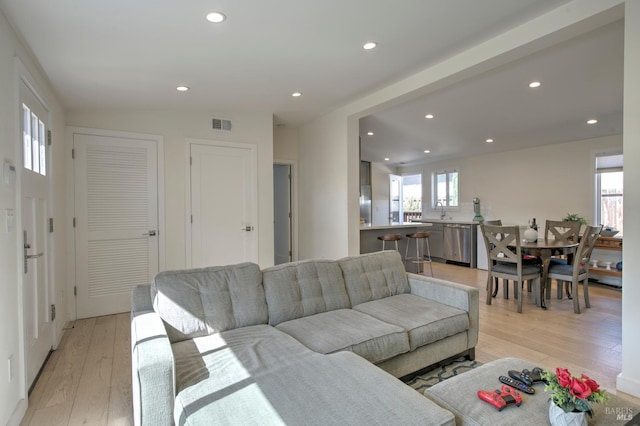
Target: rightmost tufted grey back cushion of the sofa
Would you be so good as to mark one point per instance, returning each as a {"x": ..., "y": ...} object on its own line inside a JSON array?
[{"x": 374, "y": 276}]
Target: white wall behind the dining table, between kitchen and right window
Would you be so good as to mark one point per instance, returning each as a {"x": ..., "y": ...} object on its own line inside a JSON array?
[{"x": 544, "y": 182}]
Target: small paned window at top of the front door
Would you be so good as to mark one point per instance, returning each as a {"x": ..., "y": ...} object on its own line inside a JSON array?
[{"x": 33, "y": 137}]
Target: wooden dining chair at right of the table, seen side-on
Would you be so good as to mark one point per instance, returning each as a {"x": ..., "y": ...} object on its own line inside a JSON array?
[{"x": 578, "y": 271}]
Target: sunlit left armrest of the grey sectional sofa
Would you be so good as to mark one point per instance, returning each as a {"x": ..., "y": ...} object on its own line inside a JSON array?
[{"x": 152, "y": 364}]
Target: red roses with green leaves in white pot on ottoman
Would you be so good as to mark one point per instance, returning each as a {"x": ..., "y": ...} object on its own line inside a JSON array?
[{"x": 571, "y": 397}]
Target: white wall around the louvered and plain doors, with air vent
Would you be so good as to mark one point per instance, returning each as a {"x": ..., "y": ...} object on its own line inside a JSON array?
[{"x": 175, "y": 127}]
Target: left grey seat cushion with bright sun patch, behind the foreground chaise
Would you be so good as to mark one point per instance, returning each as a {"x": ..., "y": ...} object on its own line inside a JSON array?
[{"x": 234, "y": 355}]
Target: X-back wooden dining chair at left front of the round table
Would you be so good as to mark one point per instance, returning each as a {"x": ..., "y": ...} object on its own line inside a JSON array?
[{"x": 504, "y": 259}]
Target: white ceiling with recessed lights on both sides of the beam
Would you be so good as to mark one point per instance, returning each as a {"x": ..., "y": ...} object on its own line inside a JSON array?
[{"x": 132, "y": 54}]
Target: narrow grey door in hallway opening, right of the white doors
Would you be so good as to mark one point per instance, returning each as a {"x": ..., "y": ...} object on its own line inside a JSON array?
[{"x": 282, "y": 214}]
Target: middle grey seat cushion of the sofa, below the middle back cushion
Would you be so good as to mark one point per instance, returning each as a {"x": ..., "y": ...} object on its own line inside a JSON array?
[{"x": 348, "y": 330}]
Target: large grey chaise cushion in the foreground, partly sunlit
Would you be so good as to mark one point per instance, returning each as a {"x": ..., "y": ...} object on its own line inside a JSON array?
[{"x": 338, "y": 389}]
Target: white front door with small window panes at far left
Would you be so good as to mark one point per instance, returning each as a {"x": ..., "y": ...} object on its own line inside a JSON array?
[{"x": 36, "y": 282}]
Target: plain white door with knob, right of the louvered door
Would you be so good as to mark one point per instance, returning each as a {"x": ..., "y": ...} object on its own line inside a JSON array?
[{"x": 223, "y": 204}]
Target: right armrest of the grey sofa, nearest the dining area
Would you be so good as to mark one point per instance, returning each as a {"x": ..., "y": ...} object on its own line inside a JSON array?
[{"x": 449, "y": 293}]
